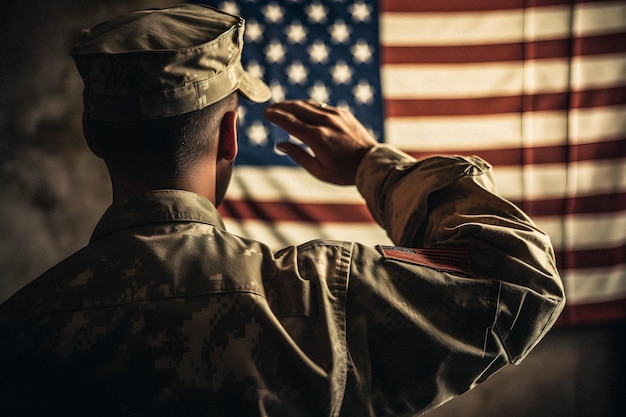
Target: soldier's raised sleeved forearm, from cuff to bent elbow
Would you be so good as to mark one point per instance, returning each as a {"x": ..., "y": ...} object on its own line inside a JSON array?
[{"x": 447, "y": 202}]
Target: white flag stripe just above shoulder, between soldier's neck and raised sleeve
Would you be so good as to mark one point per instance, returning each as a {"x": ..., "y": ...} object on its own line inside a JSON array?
[{"x": 280, "y": 234}]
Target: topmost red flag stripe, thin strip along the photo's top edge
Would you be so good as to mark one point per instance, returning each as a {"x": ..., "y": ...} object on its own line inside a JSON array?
[{"x": 404, "y": 6}]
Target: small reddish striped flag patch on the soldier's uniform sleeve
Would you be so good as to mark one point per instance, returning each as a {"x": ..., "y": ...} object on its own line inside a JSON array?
[{"x": 443, "y": 259}]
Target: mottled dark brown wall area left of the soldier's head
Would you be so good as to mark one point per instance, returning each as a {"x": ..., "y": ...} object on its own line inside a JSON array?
[{"x": 52, "y": 189}]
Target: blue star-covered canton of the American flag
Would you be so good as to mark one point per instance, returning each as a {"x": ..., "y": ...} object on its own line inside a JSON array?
[{"x": 326, "y": 51}]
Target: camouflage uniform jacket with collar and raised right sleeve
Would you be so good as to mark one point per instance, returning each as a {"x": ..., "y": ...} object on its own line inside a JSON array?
[{"x": 166, "y": 313}]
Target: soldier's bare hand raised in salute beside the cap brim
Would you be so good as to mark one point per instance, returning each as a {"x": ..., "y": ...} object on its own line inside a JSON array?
[{"x": 336, "y": 138}]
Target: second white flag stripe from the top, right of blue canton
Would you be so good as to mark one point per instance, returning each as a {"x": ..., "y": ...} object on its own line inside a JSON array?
[{"x": 494, "y": 79}]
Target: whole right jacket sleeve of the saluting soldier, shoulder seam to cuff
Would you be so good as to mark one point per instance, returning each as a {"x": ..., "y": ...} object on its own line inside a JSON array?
[{"x": 479, "y": 292}]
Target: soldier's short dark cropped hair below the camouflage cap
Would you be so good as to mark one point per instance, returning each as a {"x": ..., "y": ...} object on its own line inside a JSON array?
[{"x": 175, "y": 143}]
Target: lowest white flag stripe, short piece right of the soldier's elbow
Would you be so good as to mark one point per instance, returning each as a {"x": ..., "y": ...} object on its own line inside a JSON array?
[{"x": 585, "y": 286}]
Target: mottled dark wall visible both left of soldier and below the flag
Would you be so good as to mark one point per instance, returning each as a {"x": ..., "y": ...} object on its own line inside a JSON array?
[{"x": 52, "y": 192}]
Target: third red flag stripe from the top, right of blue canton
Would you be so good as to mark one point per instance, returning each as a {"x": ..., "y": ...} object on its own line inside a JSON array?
[{"x": 397, "y": 108}]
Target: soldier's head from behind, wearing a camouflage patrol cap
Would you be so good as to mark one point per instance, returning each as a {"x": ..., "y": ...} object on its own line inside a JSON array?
[{"x": 162, "y": 87}]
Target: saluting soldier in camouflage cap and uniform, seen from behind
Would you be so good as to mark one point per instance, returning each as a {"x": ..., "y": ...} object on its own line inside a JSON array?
[{"x": 165, "y": 312}]
